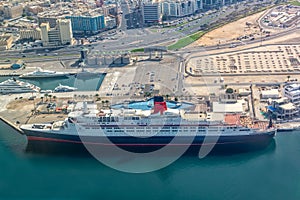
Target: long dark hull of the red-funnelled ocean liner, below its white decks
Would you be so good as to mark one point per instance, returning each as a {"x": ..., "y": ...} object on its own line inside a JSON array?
[{"x": 58, "y": 143}]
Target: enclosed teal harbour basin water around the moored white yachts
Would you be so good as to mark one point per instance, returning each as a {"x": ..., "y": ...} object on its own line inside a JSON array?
[{"x": 89, "y": 84}]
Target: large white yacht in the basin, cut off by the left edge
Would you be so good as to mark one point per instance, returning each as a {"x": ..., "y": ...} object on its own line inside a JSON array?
[{"x": 16, "y": 86}]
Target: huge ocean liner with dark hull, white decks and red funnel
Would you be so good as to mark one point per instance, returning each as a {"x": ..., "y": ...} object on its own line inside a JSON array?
[{"x": 148, "y": 130}]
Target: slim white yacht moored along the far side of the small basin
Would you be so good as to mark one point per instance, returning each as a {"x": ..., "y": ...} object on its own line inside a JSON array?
[{"x": 40, "y": 73}]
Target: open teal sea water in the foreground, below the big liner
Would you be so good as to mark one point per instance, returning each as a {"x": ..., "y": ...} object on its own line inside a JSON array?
[{"x": 273, "y": 173}]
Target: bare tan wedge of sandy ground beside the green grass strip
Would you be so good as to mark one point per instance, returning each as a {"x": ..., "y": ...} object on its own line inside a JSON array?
[{"x": 229, "y": 32}]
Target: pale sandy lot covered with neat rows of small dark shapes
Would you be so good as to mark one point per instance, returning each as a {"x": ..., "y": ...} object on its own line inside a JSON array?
[{"x": 268, "y": 59}]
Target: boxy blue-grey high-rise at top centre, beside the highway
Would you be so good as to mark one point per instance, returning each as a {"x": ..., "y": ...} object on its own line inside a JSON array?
[{"x": 151, "y": 12}]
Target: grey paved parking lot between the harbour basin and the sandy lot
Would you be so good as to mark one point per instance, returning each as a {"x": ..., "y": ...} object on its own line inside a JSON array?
[{"x": 143, "y": 79}]
